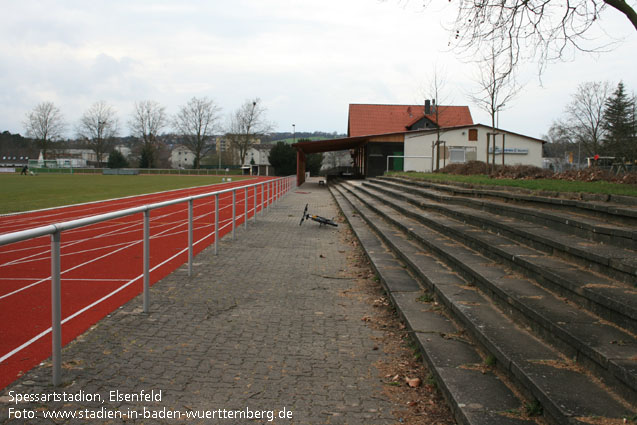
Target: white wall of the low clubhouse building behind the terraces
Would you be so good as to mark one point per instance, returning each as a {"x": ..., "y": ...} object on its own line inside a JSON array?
[{"x": 518, "y": 149}]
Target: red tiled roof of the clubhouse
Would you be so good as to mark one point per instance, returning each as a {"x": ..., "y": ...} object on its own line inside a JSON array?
[{"x": 365, "y": 119}]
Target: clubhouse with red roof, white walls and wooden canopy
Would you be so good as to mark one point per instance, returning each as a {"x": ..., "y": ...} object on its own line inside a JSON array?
[{"x": 399, "y": 137}]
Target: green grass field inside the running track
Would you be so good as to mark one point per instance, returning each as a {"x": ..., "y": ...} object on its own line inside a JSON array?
[{"x": 24, "y": 193}]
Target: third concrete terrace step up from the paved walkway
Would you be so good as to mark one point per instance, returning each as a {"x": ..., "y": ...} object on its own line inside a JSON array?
[{"x": 578, "y": 333}]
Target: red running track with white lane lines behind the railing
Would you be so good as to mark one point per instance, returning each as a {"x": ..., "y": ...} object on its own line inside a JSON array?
[{"x": 101, "y": 265}]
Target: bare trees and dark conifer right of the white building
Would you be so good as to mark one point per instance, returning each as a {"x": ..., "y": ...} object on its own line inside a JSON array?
[{"x": 597, "y": 121}]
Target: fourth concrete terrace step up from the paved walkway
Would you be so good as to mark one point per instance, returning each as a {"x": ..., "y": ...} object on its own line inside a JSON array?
[{"x": 613, "y": 300}]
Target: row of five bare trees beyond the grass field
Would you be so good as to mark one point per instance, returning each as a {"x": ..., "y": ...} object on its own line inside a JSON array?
[{"x": 196, "y": 124}]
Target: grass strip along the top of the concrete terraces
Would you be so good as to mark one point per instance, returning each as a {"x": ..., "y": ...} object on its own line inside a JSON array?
[{"x": 553, "y": 185}]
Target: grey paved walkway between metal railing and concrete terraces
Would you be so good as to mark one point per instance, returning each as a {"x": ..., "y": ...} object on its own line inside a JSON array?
[{"x": 263, "y": 326}]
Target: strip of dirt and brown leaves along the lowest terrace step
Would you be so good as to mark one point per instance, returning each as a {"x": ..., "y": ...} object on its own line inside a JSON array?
[{"x": 405, "y": 378}]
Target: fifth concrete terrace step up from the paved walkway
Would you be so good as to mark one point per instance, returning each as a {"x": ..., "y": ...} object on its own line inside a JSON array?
[{"x": 619, "y": 263}]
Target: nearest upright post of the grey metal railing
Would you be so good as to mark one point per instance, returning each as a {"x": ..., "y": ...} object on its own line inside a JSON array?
[{"x": 56, "y": 310}]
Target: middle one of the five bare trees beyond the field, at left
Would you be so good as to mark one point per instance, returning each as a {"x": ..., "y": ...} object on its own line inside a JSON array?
[{"x": 149, "y": 117}]
